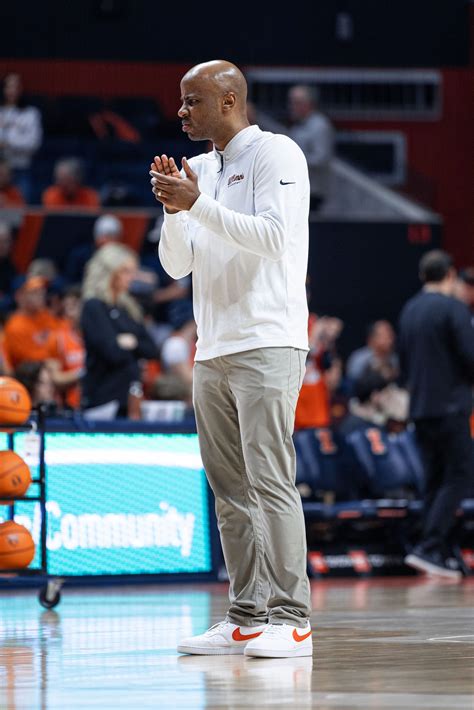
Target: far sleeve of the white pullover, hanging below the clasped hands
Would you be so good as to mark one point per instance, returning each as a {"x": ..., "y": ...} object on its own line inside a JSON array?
[{"x": 176, "y": 248}]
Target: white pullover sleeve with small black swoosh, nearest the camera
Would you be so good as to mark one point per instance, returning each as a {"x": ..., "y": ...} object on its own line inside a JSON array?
[{"x": 281, "y": 186}]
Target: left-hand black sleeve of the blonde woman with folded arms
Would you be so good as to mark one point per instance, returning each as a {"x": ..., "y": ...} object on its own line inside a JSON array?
[{"x": 100, "y": 335}]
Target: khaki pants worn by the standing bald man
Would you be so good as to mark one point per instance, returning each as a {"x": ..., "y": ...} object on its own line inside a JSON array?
[{"x": 245, "y": 408}]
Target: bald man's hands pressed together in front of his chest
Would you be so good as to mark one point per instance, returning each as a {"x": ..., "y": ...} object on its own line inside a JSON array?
[{"x": 175, "y": 191}]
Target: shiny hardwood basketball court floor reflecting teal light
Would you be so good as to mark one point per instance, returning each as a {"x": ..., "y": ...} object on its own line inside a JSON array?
[{"x": 381, "y": 643}]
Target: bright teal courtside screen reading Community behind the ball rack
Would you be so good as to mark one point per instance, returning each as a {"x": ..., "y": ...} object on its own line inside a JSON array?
[{"x": 122, "y": 504}]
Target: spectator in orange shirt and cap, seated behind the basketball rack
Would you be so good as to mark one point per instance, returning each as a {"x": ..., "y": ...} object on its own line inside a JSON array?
[{"x": 28, "y": 330}]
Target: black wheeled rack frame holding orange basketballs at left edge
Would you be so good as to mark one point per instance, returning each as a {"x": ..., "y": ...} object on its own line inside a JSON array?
[{"x": 50, "y": 590}]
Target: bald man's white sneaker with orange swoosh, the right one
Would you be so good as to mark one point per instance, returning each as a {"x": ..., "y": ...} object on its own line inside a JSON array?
[{"x": 281, "y": 641}]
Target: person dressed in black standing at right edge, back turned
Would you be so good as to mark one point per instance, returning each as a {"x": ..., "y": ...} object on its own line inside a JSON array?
[{"x": 436, "y": 345}]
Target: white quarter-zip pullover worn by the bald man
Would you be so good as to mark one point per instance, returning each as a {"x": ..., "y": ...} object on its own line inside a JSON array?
[{"x": 245, "y": 240}]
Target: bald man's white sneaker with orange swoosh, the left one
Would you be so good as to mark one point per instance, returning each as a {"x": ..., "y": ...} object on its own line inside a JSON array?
[{"x": 221, "y": 639}]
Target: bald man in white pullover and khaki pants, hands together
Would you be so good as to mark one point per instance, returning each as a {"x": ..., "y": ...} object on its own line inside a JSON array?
[{"x": 237, "y": 219}]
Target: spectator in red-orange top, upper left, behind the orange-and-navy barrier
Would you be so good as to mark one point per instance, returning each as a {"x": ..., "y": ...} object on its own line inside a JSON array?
[{"x": 68, "y": 190}]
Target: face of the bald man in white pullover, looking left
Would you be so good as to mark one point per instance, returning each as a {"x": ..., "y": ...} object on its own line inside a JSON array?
[{"x": 200, "y": 110}]
